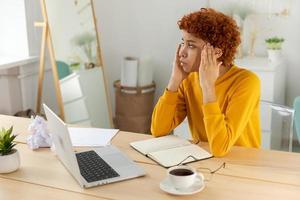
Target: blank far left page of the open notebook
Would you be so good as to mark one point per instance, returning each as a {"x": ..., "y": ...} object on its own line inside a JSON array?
[{"x": 160, "y": 143}]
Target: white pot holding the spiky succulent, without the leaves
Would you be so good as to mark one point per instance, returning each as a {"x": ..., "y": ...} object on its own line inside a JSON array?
[{"x": 10, "y": 163}]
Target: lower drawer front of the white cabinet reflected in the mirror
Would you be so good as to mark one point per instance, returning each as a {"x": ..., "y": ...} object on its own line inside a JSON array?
[{"x": 76, "y": 111}]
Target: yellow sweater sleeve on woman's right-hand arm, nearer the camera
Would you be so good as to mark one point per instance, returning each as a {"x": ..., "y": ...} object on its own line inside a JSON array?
[{"x": 223, "y": 129}]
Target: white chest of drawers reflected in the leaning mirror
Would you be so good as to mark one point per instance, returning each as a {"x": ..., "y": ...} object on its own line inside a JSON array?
[{"x": 83, "y": 92}]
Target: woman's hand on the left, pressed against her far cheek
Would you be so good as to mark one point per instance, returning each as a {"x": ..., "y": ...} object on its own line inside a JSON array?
[{"x": 178, "y": 74}]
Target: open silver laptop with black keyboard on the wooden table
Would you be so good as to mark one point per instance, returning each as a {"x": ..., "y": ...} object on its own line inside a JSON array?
[{"x": 94, "y": 167}]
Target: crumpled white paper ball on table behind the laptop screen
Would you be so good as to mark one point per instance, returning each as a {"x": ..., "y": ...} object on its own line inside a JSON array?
[{"x": 40, "y": 136}]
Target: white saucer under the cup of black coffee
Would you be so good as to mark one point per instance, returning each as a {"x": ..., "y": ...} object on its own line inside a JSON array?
[{"x": 168, "y": 187}]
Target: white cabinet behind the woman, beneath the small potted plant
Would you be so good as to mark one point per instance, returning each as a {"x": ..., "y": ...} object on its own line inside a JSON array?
[{"x": 272, "y": 78}]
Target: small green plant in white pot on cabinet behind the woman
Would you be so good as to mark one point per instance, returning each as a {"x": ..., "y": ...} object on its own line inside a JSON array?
[{"x": 274, "y": 48}]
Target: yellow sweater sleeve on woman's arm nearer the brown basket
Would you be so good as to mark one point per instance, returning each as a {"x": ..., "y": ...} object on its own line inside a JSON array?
[{"x": 169, "y": 112}]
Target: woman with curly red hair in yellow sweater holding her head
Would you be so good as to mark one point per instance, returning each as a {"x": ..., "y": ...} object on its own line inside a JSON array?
[{"x": 220, "y": 100}]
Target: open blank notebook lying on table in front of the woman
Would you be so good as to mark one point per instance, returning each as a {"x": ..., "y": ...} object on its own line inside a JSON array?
[{"x": 170, "y": 150}]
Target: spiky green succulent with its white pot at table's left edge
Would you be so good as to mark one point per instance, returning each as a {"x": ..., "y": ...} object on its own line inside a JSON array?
[{"x": 9, "y": 156}]
